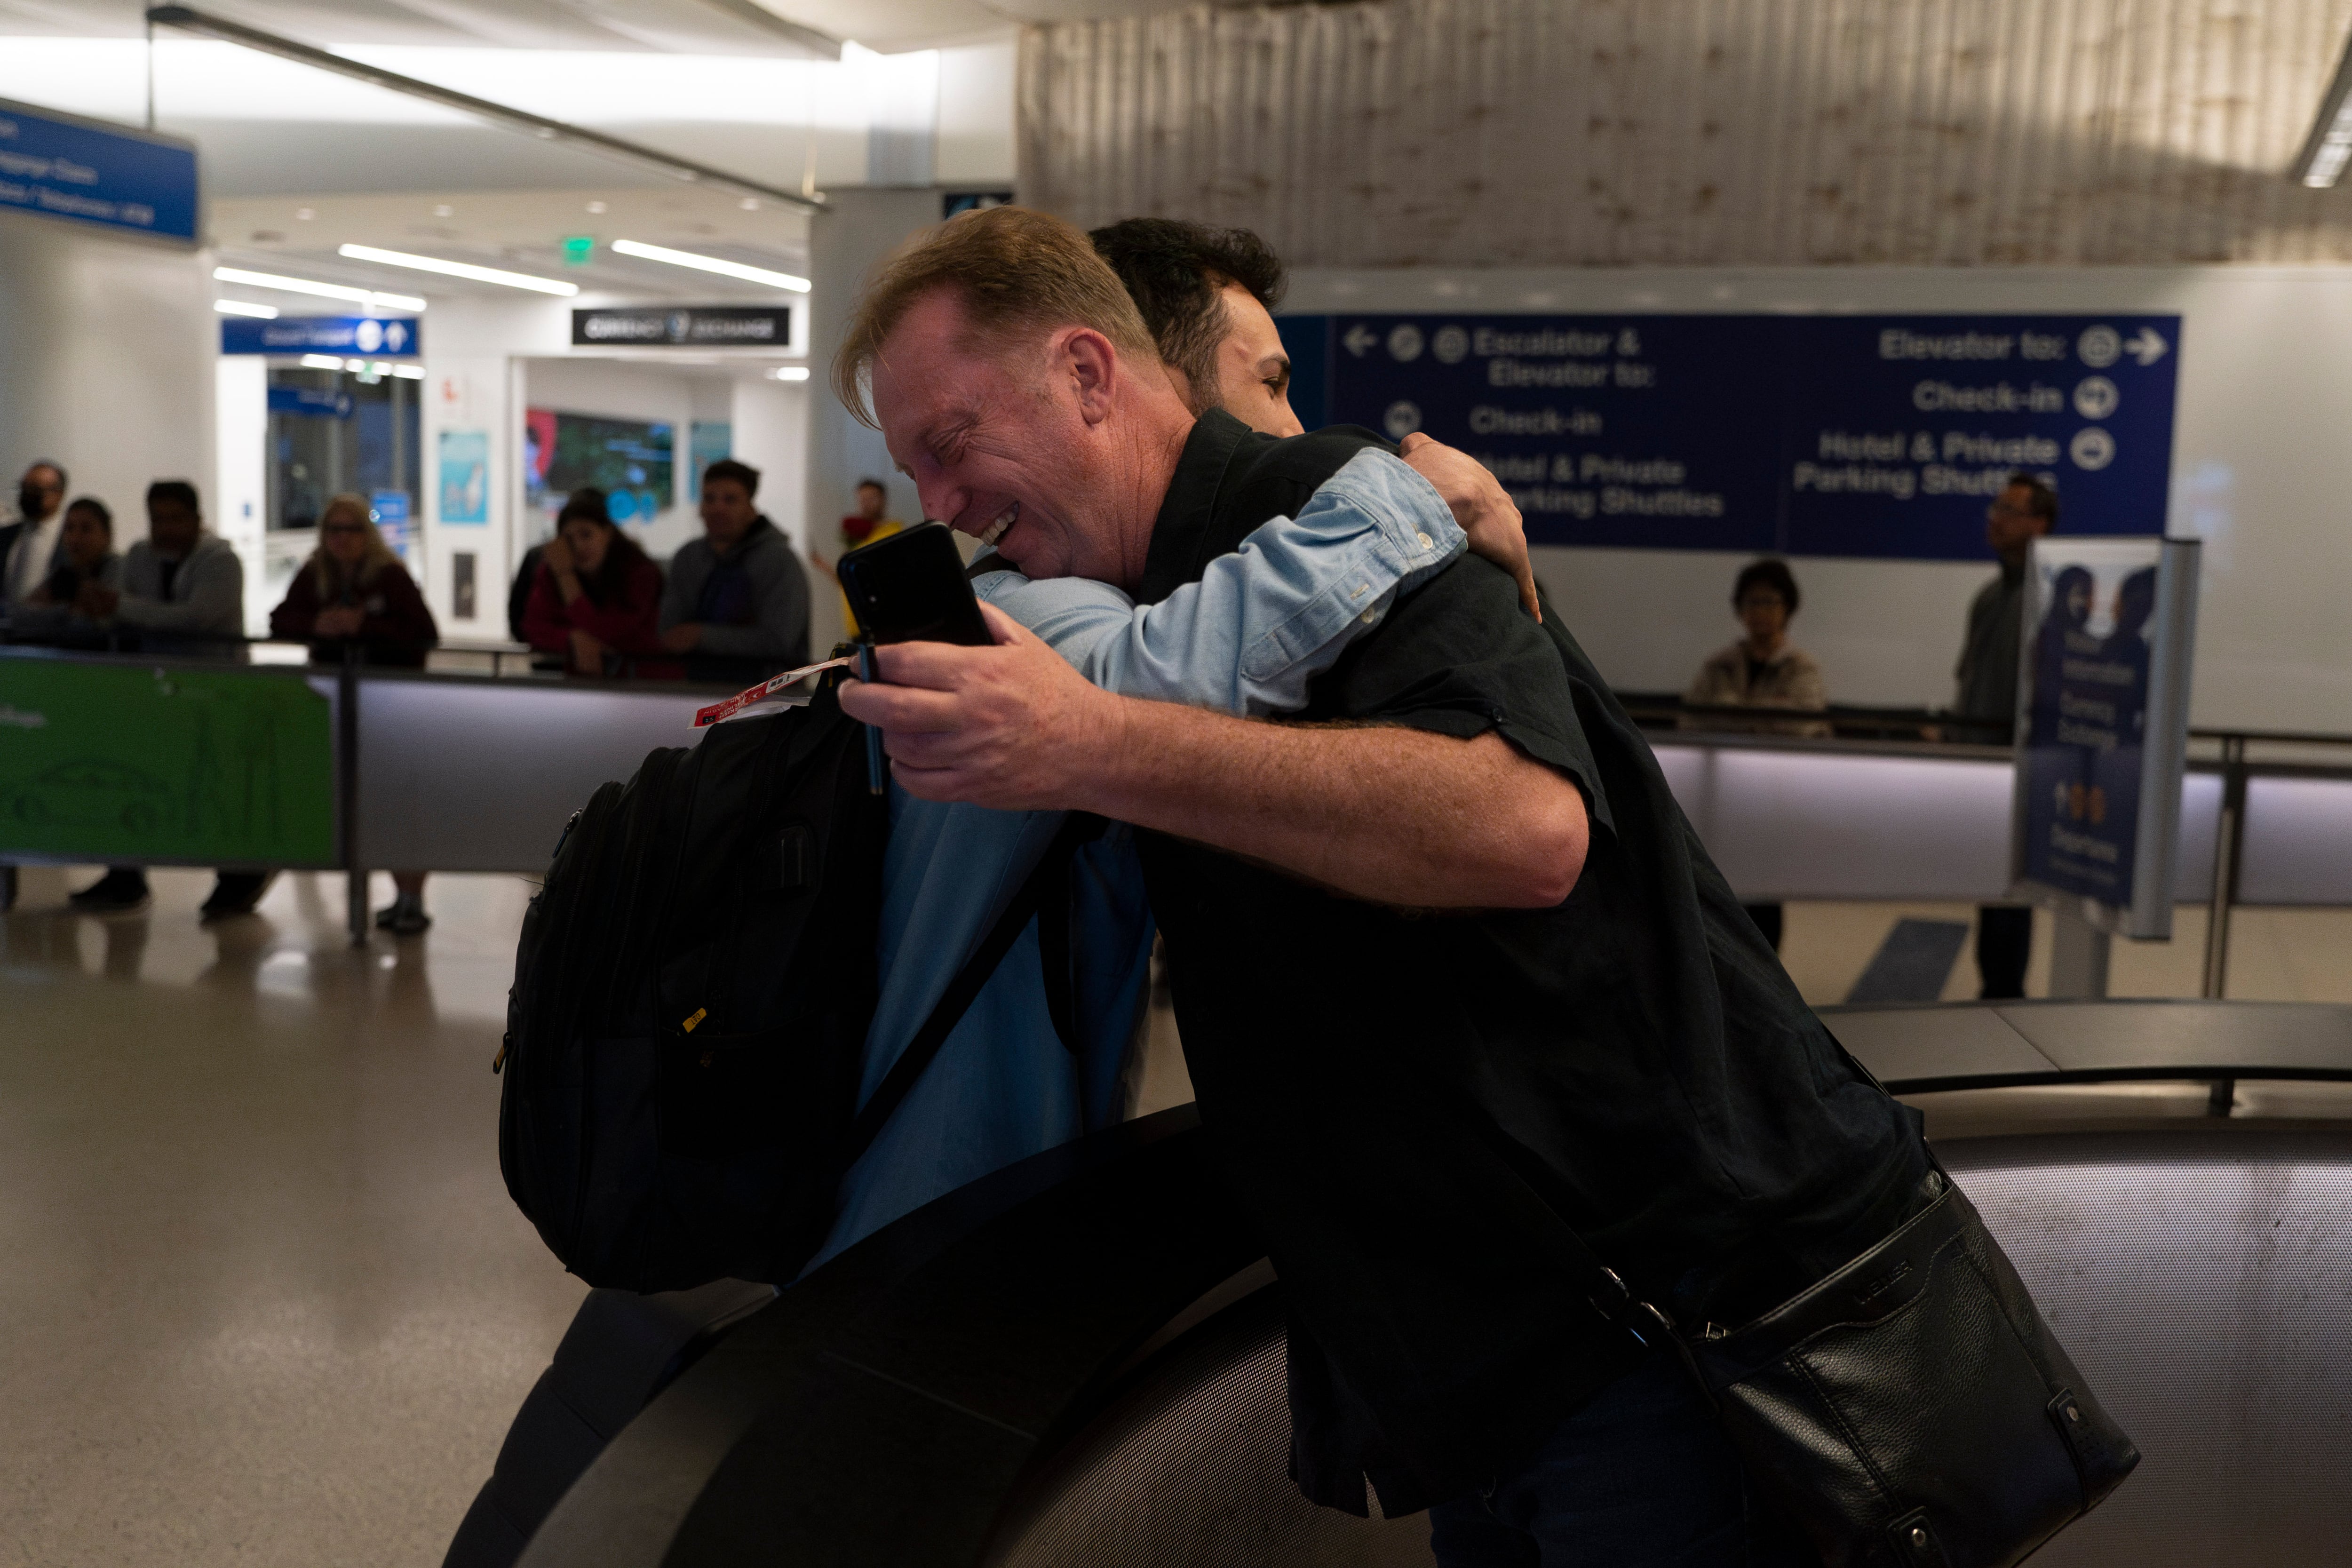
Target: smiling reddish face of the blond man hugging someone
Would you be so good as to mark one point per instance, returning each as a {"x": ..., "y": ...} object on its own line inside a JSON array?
[{"x": 998, "y": 443}]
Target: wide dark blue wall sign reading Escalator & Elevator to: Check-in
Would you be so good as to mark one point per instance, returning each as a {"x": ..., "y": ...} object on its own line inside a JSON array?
[{"x": 1789, "y": 434}]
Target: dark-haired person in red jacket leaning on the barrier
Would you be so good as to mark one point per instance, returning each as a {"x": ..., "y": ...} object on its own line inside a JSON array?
[{"x": 599, "y": 598}]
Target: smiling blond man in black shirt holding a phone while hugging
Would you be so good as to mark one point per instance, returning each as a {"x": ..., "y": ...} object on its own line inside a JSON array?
[{"x": 1422, "y": 1115}]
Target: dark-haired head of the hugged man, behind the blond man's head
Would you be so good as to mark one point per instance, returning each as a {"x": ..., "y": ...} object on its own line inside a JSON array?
[{"x": 1208, "y": 297}]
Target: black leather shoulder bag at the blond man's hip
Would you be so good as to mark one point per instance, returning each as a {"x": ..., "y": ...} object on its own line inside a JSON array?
[{"x": 1911, "y": 1409}]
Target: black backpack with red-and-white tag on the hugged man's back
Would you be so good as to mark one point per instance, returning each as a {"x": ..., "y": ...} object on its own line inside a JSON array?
[{"x": 693, "y": 991}]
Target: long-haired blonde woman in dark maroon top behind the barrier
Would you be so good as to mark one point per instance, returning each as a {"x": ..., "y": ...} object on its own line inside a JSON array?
[{"x": 356, "y": 594}]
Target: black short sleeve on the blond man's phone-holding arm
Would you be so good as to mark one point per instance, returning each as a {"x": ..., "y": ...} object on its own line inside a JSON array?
[{"x": 1462, "y": 657}]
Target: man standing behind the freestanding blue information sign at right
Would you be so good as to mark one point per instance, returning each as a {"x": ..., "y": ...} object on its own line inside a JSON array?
[{"x": 1989, "y": 692}]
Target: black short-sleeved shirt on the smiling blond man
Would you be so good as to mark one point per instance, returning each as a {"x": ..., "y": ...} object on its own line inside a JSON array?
[{"x": 1419, "y": 1106}]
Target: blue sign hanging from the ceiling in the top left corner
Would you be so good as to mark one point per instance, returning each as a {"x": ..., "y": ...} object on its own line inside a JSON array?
[{"x": 95, "y": 173}]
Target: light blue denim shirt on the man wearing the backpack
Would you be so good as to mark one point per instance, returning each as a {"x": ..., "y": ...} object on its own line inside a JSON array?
[{"x": 1248, "y": 638}]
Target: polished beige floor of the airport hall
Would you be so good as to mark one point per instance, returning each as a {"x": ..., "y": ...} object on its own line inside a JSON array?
[{"x": 267, "y": 1299}]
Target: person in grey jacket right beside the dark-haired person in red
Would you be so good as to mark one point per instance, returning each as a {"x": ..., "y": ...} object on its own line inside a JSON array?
[{"x": 737, "y": 603}]
